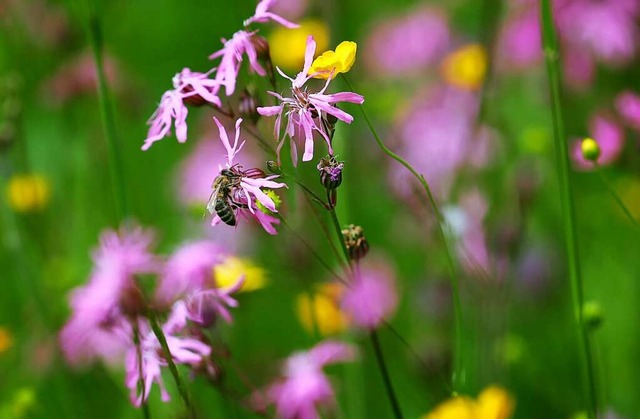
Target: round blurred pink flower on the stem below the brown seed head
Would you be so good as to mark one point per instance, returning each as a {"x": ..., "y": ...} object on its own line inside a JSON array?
[{"x": 371, "y": 298}]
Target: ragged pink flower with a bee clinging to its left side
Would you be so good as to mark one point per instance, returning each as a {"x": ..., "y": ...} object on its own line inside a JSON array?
[{"x": 236, "y": 192}]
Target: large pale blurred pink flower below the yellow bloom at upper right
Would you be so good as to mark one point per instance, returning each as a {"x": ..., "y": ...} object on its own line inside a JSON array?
[{"x": 436, "y": 136}]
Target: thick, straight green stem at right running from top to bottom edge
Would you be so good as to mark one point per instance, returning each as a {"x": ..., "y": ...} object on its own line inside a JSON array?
[{"x": 551, "y": 54}]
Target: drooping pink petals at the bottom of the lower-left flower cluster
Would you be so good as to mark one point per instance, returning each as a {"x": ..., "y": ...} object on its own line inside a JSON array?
[{"x": 146, "y": 366}]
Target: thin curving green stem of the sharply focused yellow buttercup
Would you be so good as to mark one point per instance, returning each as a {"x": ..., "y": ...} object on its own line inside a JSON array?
[{"x": 458, "y": 369}]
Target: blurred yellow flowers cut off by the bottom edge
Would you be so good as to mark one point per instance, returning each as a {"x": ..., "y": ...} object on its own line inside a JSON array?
[{"x": 493, "y": 403}]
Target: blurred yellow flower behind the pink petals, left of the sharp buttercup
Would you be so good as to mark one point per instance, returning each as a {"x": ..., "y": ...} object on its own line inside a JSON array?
[{"x": 287, "y": 46}]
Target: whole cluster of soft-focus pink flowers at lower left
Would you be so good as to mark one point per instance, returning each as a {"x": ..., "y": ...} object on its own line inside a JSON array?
[{"x": 111, "y": 309}]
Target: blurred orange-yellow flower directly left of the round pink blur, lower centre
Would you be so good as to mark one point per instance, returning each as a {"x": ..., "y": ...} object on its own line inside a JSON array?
[{"x": 321, "y": 310}]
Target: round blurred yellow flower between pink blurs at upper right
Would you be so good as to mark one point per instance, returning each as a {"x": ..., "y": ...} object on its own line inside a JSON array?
[{"x": 465, "y": 67}]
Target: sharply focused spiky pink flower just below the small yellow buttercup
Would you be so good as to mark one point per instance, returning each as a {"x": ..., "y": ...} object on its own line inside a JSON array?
[{"x": 307, "y": 112}]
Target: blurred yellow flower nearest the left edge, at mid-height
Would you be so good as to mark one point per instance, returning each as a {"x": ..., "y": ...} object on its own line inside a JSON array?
[{"x": 28, "y": 193}]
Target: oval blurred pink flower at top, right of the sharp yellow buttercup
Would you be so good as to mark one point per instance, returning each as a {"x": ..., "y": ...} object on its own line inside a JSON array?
[{"x": 407, "y": 44}]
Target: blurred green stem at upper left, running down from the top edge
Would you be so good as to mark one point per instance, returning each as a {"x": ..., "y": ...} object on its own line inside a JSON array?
[{"x": 108, "y": 119}]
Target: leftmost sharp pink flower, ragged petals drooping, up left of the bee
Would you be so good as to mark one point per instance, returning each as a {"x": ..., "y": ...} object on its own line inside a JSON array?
[{"x": 189, "y": 87}]
